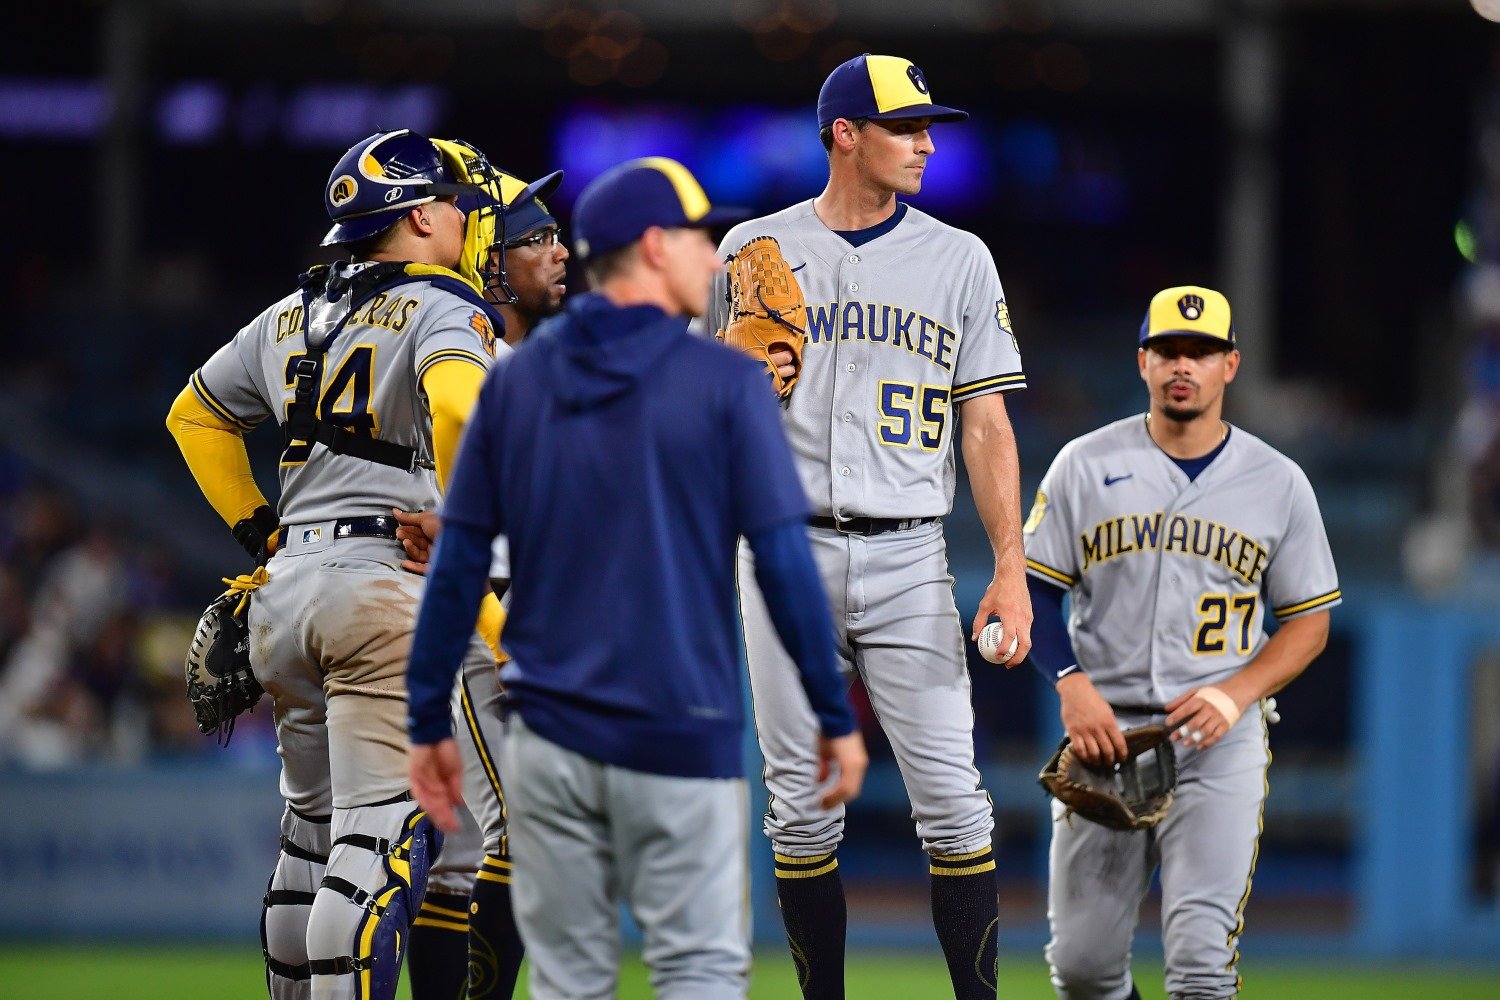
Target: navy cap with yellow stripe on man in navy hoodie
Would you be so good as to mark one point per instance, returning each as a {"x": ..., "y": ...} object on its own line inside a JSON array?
[{"x": 628, "y": 200}]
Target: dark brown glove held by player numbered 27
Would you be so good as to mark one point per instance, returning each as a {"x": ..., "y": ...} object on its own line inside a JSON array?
[{"x": 1127, "y": 797}]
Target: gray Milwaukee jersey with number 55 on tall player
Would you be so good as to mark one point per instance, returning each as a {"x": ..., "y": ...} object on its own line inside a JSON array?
[{"x": 901, "y": 331}]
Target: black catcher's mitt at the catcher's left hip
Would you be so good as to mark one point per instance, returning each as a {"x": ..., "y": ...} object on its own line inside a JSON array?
[{"x": 221, "y": 684}]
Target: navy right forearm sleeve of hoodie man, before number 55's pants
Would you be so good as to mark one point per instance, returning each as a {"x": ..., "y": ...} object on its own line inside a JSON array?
[{"x": 787, "y": 573}]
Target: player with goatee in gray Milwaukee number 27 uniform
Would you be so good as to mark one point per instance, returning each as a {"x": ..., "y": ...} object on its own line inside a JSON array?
[{"x": 1178, "y": 539}]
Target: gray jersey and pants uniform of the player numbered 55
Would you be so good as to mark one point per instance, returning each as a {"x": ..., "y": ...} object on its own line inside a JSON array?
[{"x": 901, "y": 332}]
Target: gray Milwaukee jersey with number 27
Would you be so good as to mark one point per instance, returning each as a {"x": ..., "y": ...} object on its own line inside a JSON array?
[{"x": 1171, "y": 579}]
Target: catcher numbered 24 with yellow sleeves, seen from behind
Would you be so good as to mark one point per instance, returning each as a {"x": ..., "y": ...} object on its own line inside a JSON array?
[{"x": 373, "y": 368}]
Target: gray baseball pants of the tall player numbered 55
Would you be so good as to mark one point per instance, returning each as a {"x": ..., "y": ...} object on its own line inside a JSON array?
[{"x": 898, "y": 627}]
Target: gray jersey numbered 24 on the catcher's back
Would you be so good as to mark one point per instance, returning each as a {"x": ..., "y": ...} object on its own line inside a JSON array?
[{"x": 371, "y": 385}]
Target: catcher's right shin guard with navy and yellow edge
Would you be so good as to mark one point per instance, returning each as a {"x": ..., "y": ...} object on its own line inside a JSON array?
[{"x": 370, "y": 899}]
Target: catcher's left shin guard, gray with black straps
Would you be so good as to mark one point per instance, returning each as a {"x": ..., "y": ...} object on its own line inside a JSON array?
[{"x": 289, "y": 903}]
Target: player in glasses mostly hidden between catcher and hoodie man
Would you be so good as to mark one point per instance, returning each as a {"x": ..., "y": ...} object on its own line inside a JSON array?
[{"x": 466, "y": 930}]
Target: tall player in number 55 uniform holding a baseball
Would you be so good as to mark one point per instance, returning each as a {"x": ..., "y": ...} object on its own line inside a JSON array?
[{"x": 908, "y": 328}]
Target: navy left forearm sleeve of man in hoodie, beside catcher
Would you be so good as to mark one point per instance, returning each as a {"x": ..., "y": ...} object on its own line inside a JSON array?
[{"x": 457, "y": 581}]
